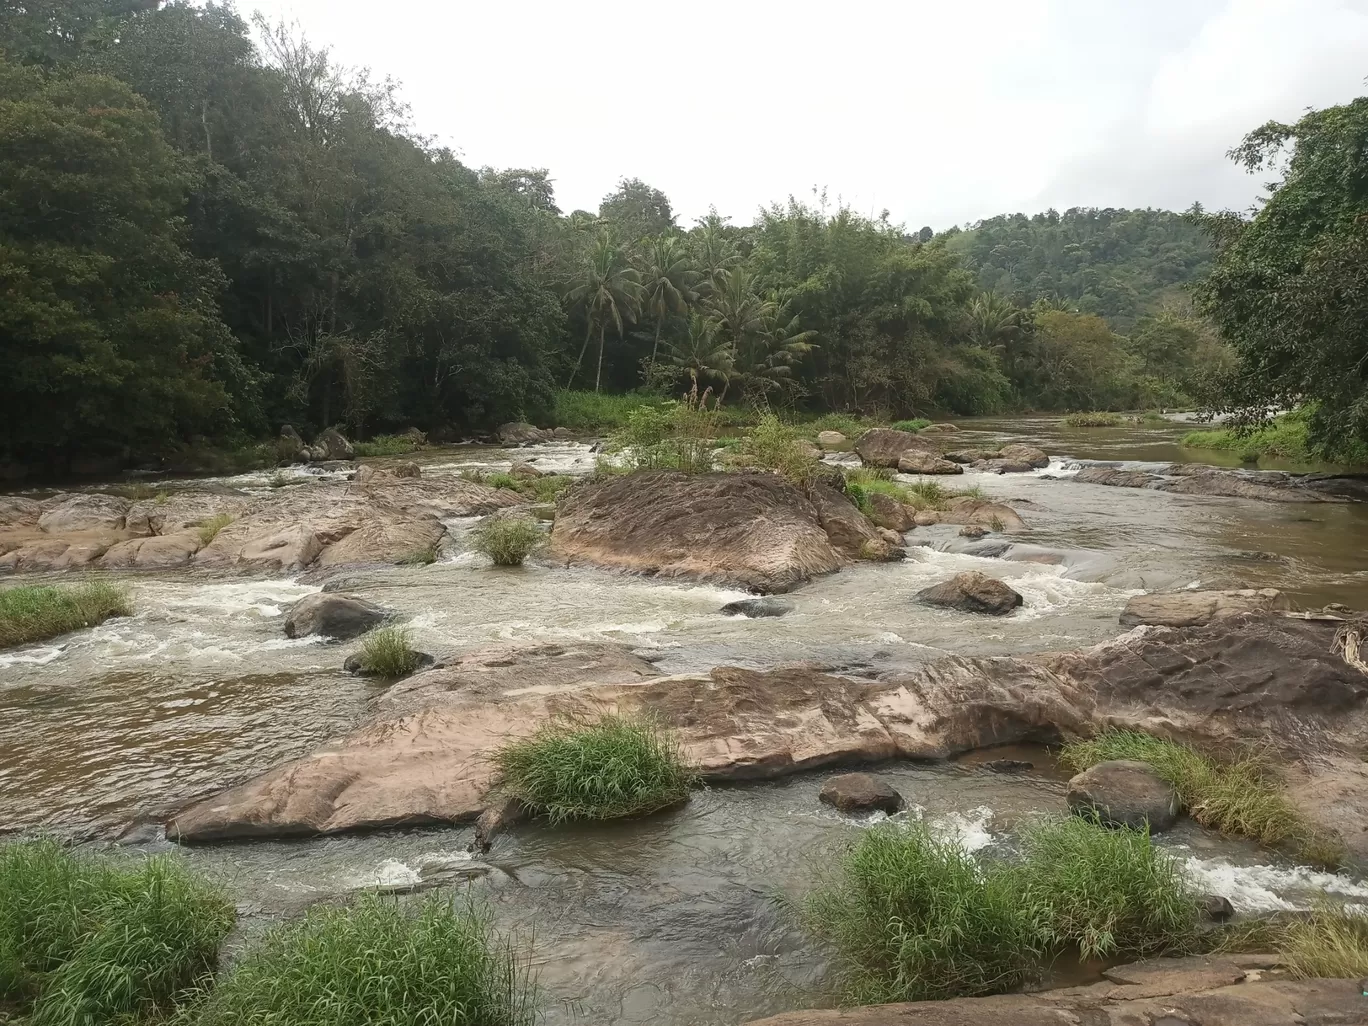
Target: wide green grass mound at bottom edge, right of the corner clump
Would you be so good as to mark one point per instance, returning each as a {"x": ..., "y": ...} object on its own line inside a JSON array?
[{"x": 377, "y": 962}]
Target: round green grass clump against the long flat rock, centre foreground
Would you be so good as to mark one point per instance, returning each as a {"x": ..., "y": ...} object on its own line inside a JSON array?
[{"x": 614, "y": 768}]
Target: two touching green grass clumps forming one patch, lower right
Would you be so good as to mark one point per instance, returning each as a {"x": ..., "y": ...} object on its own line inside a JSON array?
[{"x": 916, "y": 917}]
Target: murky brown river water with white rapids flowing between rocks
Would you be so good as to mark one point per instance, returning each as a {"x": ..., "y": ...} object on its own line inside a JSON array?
[{"x": 685, "y": 917}]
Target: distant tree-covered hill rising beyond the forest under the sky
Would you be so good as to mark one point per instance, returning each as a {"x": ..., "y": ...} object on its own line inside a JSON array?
[{"x": 1120, "y": 265}]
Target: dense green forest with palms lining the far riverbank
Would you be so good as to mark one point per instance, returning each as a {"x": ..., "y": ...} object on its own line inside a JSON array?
[{"x": 210, "y": 229}]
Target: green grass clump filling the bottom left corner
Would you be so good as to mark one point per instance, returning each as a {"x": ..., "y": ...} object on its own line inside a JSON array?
[{"x": 92, "y": 940}]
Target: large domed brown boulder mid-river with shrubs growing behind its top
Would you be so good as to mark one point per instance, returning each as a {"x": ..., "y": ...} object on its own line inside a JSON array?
[{"x": 748, "y": 530}]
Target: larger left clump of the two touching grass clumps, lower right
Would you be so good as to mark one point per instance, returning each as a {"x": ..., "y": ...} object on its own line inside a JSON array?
[{"x": 916, "y": 919}]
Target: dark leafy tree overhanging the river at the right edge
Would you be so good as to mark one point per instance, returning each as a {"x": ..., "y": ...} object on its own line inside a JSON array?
[{"x": 1288, "y": 289}]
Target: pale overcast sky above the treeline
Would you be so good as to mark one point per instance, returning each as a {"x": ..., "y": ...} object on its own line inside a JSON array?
[{"x": 942, "y": 111}]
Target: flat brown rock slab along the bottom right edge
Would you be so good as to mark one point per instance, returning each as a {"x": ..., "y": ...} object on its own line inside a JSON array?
[{"x": 1202, "y": 991}]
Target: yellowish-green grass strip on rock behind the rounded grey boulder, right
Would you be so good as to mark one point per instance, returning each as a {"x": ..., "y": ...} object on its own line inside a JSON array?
[{"x": 1239, "y": 797}]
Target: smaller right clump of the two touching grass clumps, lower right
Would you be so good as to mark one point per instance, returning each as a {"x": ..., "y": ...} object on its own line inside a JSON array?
[{"x": 1106, "y": 891}]
